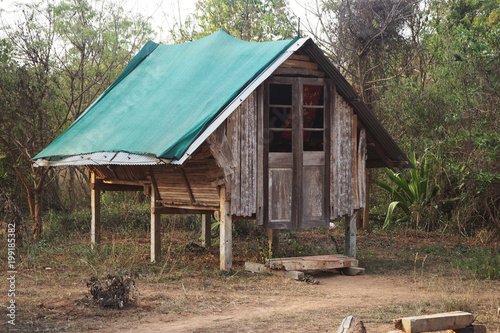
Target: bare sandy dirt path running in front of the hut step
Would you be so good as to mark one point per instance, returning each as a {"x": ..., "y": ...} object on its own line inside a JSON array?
[{"x": 334, "y": 294}]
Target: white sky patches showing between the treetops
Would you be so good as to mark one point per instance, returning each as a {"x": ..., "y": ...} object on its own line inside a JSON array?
[{"x": 163, "y": 13}]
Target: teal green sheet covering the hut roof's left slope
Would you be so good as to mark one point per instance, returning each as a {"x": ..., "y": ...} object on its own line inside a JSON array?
[{"x": 166, "y": 97}]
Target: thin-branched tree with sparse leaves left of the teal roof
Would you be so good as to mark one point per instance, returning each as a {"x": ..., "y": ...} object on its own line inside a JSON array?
[{"x": 57, "y": 60}]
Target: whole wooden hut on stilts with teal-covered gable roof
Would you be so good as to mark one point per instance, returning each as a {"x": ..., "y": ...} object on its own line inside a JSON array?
[{"x": 266, "y": 131}]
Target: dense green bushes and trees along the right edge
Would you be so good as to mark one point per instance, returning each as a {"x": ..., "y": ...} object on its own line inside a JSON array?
[{"x": 449, "y": 101}]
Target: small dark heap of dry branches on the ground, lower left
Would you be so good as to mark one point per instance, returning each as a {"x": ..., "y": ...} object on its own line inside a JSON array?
[{"x": 114, "y": 292}]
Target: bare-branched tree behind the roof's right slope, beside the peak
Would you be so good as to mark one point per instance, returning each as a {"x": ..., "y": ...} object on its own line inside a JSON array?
[{"x": 369, "y": 40}]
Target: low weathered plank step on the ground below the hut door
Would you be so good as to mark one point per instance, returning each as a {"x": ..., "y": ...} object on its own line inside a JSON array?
[{"x": 315, "y": 263}]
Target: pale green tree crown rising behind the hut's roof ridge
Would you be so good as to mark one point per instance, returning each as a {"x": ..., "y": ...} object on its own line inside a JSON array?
[{"x": 259, "y": 20}]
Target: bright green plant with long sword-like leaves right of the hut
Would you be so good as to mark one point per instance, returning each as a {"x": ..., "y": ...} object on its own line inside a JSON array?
[{"x": 413, "y": 195}]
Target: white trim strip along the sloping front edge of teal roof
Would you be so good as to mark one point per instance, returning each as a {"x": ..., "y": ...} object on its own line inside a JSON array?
[{"x": 240, "y": 98}]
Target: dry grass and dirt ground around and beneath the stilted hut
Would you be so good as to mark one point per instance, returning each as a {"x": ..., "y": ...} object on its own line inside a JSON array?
[{"x": 188, "y": 285}]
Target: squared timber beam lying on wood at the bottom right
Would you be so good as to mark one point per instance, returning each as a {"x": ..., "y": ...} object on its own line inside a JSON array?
[{"x": 435, "y": 322}]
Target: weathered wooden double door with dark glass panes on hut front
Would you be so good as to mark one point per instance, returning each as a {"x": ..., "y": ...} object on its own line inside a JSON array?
[{"x": 297, "y": 144}]
